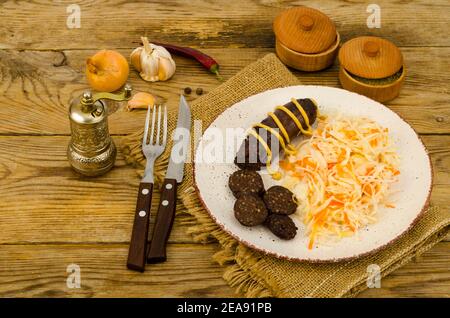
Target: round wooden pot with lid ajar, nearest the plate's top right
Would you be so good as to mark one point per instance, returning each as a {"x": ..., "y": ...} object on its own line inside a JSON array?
[{"x": 373, "y": 67}]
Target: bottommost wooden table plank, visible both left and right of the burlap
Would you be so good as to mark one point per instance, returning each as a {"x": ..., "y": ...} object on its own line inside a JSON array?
[{"x": 40, "y": 271}]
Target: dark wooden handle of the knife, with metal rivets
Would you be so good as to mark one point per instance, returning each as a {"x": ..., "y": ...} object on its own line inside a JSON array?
[{"x": 164, "y": 221}]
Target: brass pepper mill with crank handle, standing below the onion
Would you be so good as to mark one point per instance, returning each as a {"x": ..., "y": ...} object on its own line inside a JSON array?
[{"x": 91, "y": 150}]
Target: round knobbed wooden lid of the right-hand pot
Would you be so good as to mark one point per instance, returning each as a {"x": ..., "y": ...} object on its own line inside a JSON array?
[{"x": 370, "y": 57}]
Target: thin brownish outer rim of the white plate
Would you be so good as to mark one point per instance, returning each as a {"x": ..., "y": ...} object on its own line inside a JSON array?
[{"x": 312, "y": 260}]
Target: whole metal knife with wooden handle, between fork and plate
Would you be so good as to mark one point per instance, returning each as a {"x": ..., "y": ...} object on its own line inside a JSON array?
[{"x": 174, "y": 176}]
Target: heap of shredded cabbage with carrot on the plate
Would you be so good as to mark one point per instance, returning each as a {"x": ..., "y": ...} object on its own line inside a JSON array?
[{"x": 341, "y": 176}]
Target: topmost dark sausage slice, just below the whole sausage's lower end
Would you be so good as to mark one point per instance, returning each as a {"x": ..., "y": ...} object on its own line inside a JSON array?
[{"x": 243, "y": 182}]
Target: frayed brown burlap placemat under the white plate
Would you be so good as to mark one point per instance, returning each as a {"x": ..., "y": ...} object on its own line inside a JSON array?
[{"x": 252, "y": 273}]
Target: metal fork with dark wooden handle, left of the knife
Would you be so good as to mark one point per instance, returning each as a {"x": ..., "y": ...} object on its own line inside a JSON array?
[{"x": 152, "y": 150}]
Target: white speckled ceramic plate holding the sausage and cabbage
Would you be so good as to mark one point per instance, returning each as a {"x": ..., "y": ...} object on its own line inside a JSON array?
[{"x": 414, "y": 184}]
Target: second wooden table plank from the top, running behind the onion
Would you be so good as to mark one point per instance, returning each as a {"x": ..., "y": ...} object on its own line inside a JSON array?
[{"x": 36, "y": 88}]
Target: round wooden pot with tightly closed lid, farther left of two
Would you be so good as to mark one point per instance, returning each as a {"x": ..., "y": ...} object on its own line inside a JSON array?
[{"x": 306, "y": 39}]
